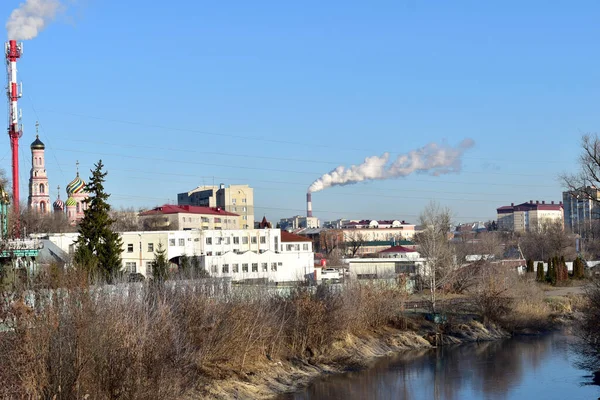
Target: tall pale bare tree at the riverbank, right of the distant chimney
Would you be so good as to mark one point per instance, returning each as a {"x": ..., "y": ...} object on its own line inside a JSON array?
[{"x": 435, "y": 247}]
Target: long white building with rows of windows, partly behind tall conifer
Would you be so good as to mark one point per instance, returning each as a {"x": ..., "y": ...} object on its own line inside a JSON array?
[{"x": 242, "y": 255}]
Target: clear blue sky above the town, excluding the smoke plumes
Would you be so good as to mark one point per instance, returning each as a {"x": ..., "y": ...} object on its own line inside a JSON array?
[{"x": 274, "y": 94}]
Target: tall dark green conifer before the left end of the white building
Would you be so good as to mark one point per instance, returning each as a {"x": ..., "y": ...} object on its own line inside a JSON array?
[{"x": 98, "y": 247}]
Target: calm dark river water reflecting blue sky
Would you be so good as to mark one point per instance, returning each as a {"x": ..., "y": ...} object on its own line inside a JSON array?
[{"x": 518, "y": 368}]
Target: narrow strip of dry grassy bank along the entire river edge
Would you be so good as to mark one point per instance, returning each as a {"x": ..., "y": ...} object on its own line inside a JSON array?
[{"x": 356, "y": 352}]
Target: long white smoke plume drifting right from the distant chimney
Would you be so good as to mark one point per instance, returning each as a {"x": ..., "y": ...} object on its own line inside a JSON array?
[{"x": 432, "y": 159}]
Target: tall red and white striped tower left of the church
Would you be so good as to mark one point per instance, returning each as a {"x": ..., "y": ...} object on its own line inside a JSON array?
[{"x": 13, "y": 52}]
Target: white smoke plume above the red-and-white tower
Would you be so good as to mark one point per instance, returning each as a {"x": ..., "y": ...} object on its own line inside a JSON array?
[{"x": 27, "y": 21}]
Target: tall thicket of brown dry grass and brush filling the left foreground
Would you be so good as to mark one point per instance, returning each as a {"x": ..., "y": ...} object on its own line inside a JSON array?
[{"x": 141, "y": 342}]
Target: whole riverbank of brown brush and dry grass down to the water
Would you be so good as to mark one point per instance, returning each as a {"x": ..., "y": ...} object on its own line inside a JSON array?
[{"x": 190, "y": 342}]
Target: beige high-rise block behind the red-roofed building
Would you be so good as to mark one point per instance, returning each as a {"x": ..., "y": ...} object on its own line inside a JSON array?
[{"x": 238, "y": 199}]
